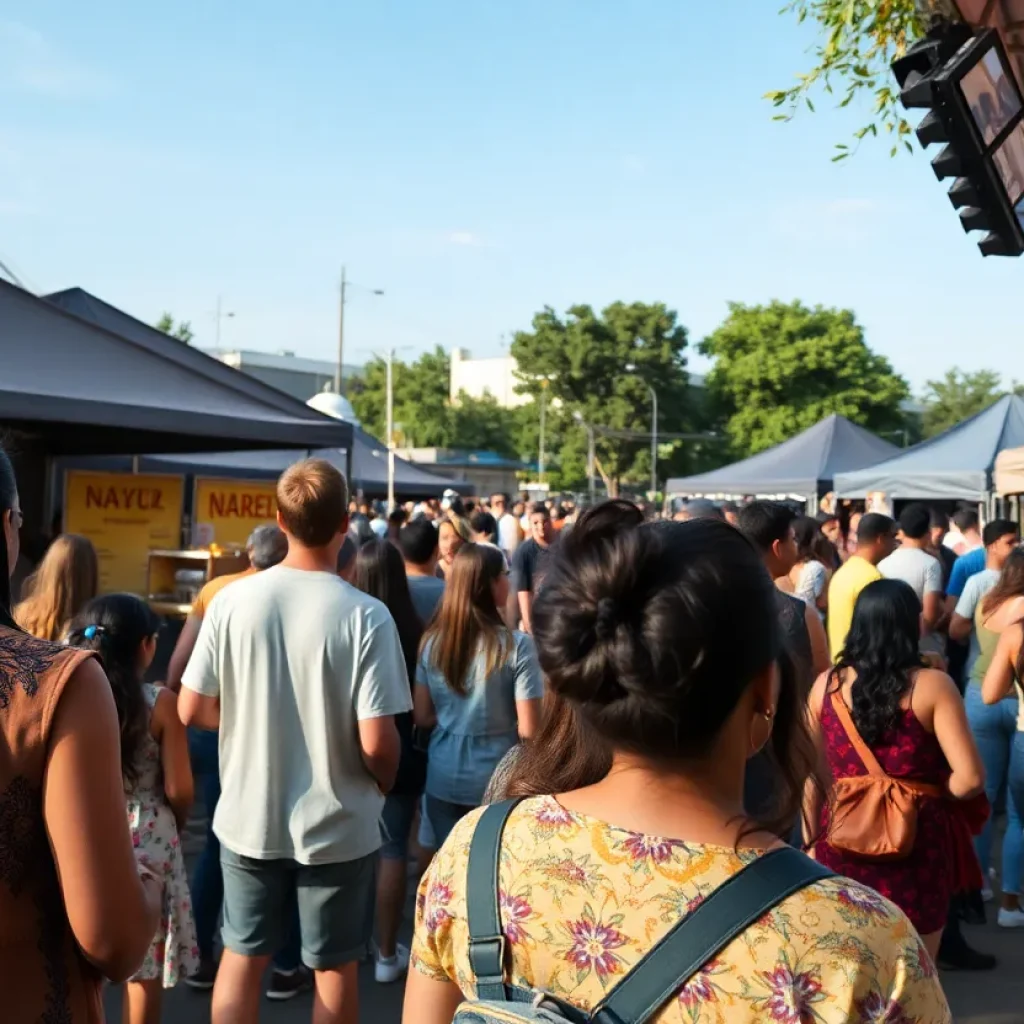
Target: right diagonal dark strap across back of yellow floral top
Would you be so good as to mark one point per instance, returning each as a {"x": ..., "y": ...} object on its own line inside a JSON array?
[{"x": 730, "y": 911}]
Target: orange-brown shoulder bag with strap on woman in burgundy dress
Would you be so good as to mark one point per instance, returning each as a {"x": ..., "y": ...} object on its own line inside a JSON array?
[{"x": 875, "y": 816}]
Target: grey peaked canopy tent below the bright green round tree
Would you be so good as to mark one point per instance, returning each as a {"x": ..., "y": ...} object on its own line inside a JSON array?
[{"x": 804, "y": 465}]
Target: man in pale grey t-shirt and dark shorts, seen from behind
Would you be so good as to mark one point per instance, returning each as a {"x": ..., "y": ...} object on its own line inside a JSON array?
[{"x": 304, "y": 675}]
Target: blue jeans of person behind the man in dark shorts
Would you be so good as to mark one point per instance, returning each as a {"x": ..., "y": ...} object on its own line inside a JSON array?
[{"x": 208, "y": 882}]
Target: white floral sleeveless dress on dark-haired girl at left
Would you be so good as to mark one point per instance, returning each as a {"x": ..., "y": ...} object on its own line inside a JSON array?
[{"x": 175, "y": 953}]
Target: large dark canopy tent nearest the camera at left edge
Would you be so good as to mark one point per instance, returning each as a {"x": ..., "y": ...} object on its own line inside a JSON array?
[{"x": 73, "y": 388}]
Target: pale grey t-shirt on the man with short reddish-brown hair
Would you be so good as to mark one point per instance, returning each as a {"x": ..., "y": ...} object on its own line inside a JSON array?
[{"x": 297, "y": 660}]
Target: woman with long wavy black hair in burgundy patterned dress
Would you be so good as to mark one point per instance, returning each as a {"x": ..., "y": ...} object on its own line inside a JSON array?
[{"x": 912, "y": 720}]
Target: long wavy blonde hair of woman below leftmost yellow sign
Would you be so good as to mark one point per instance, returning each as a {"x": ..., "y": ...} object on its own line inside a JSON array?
[{"x": 66, "y": 581}]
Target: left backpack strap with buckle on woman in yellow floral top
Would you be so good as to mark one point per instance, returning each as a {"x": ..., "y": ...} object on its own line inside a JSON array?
[{"x": 487, "y": 945}]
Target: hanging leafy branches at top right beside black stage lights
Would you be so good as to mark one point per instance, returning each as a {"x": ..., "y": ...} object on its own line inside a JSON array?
[{"x": 858, "y": 42}]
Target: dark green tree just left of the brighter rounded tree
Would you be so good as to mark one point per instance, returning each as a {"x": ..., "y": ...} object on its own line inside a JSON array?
[{"x": 584, "y": 359}]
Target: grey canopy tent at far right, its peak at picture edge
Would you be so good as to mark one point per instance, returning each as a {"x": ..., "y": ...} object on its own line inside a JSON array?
[{"x": 957, "y": 465}]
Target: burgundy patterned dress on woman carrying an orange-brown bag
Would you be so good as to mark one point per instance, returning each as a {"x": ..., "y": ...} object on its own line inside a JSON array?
[{"x": 923, "y": 884}]
